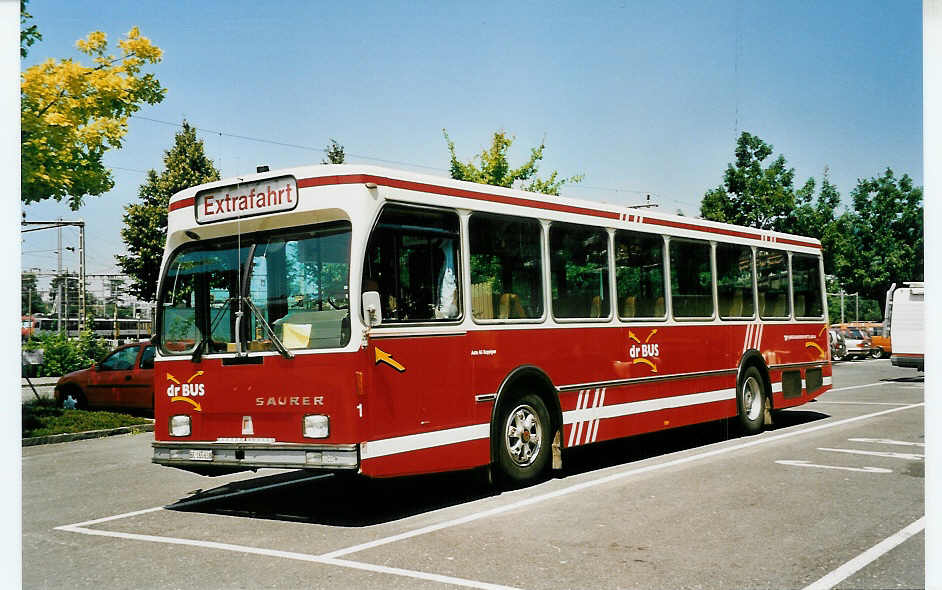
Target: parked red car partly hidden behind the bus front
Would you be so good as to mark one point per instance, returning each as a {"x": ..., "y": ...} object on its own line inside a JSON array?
[{"x": 124, "y": 379}]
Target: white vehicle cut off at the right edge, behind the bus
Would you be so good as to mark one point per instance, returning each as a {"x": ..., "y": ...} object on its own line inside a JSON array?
[{"x": 907, "y": 326}]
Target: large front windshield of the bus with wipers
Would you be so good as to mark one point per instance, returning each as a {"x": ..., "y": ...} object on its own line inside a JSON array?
[{"x": 296, "y": 280}]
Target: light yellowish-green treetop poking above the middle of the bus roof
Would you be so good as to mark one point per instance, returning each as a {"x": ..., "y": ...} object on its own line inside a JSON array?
[{"x": 495, "y": 169}]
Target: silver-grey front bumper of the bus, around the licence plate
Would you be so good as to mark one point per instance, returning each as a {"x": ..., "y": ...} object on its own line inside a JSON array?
[{"x": 248, "y": 455}]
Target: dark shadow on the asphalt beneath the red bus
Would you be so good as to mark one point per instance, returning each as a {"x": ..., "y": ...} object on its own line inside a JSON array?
[{"x": 354, "y": 501}]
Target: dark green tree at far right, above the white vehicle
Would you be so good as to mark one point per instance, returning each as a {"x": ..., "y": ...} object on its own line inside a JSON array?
[{"x": 884, "y": 241}]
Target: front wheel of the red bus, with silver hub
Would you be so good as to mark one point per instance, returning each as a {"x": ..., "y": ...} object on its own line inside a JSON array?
[{"x": 525, "y": 437}]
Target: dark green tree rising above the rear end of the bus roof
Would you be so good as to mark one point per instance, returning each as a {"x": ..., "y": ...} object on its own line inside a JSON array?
[{"x": 753, "y": 195}]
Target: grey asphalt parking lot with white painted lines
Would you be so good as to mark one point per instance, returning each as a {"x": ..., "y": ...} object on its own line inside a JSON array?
[{"x": 699, "y": 507}]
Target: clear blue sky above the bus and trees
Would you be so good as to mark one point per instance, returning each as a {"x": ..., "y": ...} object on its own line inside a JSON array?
[{"x": 642, "y": 96}]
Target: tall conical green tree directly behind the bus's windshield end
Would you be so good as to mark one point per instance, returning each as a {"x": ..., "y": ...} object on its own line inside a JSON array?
[{"x": 145, "y": 222}]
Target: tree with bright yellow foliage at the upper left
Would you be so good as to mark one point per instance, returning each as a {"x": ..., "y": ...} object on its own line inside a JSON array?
[{"x": 71, "y": 114}]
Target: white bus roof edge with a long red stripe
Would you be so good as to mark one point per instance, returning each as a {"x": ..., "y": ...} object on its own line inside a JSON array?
[{"x": 319, "y": 175}]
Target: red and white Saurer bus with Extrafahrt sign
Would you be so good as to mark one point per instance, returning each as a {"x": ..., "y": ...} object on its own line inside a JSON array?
[{"x": 358, "y": 318}]
